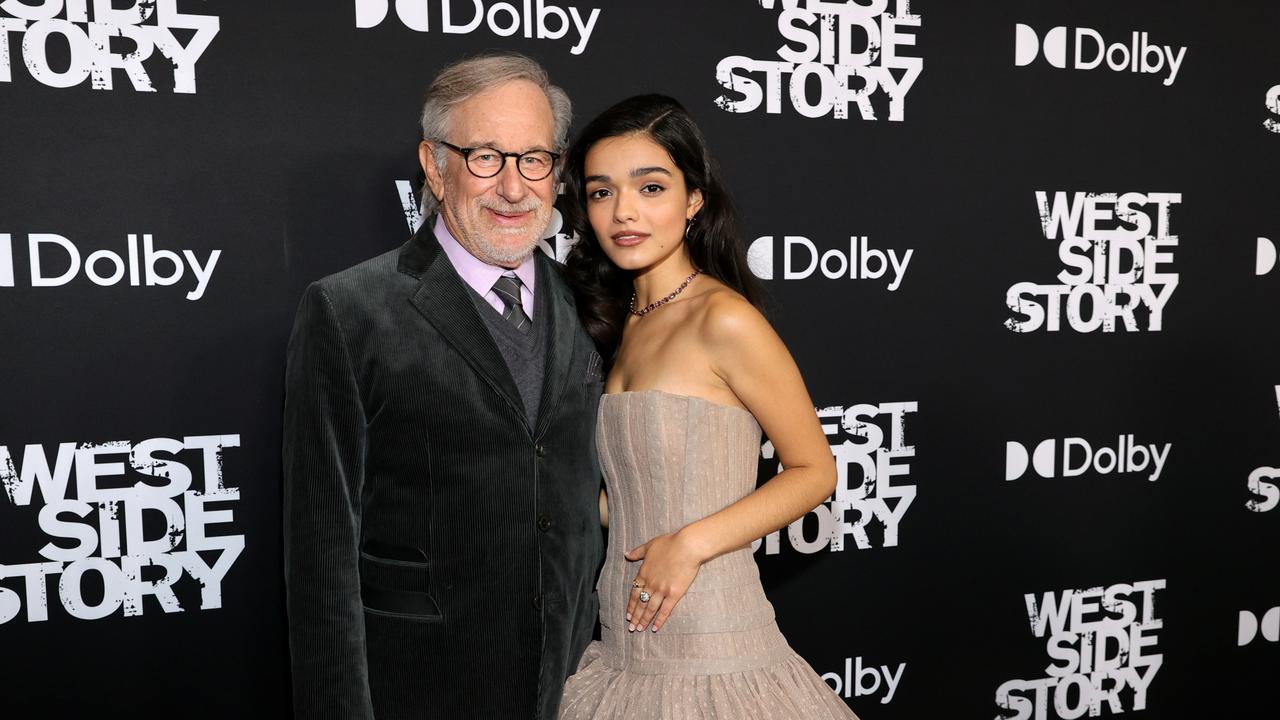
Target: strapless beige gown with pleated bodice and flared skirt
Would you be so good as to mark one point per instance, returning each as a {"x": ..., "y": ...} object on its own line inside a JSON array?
[{"x": 670, "y": 461}]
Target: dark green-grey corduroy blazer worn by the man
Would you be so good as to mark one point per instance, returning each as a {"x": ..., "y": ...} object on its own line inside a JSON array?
[{"x": 440, "y": 553}]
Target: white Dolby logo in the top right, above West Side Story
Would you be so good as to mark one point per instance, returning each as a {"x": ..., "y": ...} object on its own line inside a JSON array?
[{"x": 1091, "y": 52}]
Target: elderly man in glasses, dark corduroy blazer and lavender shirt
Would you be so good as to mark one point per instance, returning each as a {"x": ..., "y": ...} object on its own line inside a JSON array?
[{"x": 442, "y": 522}]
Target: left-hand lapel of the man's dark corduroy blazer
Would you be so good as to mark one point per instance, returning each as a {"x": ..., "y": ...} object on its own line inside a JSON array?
[{"x": 442, "y": 299}]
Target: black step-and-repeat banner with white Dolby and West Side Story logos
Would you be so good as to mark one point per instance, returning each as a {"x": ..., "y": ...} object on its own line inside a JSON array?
[{"x": 1023, "y": 252}]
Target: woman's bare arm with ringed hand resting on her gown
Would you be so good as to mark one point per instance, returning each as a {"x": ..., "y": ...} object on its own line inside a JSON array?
[{"x": 752, "y": 361}]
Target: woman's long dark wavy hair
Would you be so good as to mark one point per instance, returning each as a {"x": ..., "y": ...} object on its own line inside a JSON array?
[{"x": 604, "y": 291}]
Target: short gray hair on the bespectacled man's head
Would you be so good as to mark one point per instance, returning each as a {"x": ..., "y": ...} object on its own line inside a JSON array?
[{"x": 468, "y": 79}]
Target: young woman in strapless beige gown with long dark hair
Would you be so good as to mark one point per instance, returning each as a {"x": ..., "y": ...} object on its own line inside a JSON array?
[{"x": 696, "y": 372}]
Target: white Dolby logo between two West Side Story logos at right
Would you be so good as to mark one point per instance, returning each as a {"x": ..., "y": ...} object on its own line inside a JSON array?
[{"x": 1078, "y": 458}]
